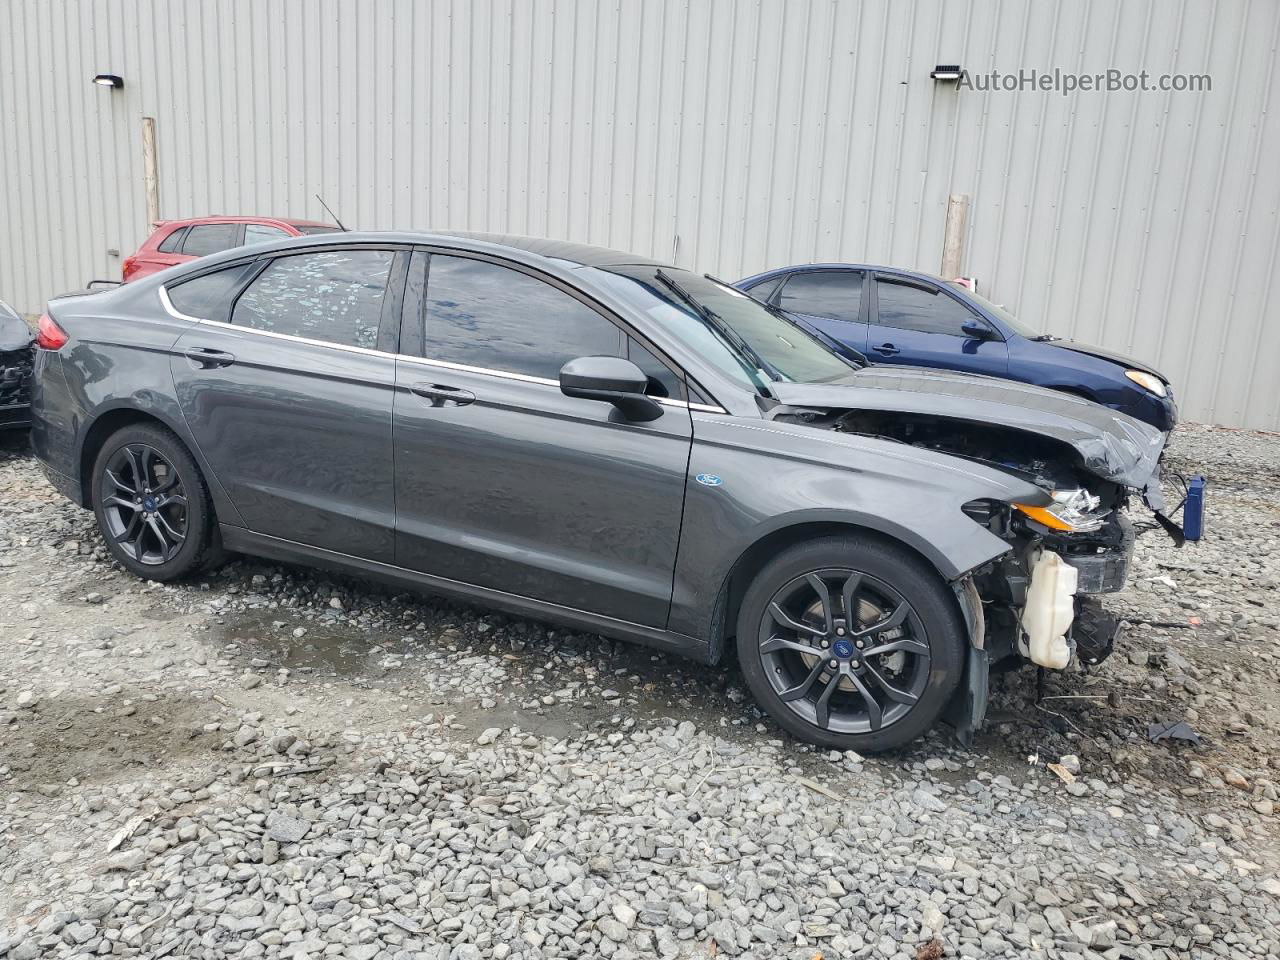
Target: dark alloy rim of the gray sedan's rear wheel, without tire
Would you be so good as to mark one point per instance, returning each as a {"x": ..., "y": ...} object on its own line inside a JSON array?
[{"x": 145, "y": 505}]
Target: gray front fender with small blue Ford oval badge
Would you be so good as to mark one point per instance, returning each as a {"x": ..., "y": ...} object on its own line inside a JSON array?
[{"x": 774, "y": 477}]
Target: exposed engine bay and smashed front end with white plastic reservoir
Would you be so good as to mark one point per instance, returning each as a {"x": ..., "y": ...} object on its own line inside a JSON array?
[{"x": 1039, "y": 602}]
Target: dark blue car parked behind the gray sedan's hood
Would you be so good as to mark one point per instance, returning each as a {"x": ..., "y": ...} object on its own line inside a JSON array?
[{"x": 898, "y": 317}]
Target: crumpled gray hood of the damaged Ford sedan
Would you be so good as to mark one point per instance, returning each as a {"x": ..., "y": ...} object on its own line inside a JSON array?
[{"x": 1112, "y": 445}]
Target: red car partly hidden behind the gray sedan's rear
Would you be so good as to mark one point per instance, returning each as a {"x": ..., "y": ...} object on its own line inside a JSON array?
[{"x": 180, "y": 241}]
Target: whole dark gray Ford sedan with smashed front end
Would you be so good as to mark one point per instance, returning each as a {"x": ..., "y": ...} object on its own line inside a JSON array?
[{"x": 593, "y": 438}]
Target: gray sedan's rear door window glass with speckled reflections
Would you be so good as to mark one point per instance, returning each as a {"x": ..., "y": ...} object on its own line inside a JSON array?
[{"x": 335, "y": 296}]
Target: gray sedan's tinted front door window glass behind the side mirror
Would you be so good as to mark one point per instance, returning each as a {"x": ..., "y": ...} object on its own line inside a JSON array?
[{"x": 487, "y": 316}]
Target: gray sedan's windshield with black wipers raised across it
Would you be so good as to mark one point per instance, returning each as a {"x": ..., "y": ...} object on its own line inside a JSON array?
[{"x": 772, "y": 348}]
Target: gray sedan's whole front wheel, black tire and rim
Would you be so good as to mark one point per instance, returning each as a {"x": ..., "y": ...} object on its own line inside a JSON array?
[{"x": 922, "y": 665}]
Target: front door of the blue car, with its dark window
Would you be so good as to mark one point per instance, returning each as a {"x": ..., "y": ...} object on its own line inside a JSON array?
[{"x": 921, "y": 324}]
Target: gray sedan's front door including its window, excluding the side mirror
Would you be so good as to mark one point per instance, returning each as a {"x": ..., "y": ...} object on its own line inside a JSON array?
[{"x": 502, "y": 481}]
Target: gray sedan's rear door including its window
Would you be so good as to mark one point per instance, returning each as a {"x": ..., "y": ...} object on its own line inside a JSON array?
[{"x": 287, "y": 388}]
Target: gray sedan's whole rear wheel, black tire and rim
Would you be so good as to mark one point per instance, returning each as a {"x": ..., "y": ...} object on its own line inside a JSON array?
[{"x": 161, "y": 460}]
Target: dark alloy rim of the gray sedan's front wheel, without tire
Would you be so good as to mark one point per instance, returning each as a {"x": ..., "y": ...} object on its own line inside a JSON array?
[{"x": 844, "y": 651}]
